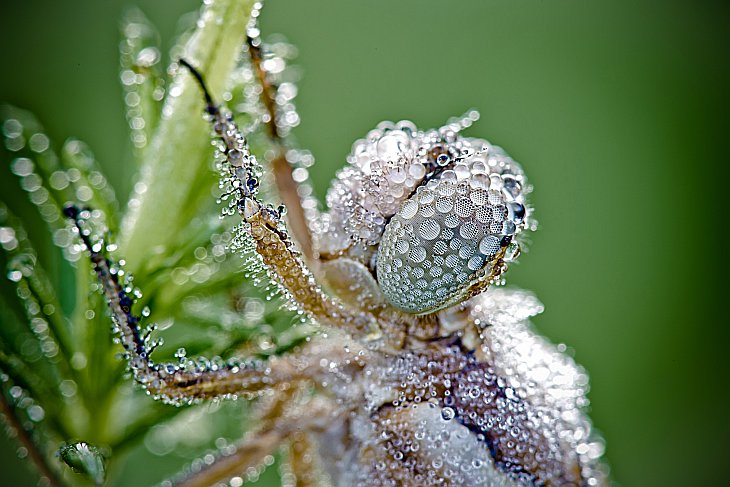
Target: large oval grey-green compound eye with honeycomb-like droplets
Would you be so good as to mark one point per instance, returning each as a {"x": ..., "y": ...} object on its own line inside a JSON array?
[{"x": 446, "y": 241}]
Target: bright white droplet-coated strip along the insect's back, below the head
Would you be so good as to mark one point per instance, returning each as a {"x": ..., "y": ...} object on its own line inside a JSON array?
[{"x": 541, "y": 373}]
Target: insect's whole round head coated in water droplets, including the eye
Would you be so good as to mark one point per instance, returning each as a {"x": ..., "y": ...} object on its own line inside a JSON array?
[{"x": 434, "y": 215}]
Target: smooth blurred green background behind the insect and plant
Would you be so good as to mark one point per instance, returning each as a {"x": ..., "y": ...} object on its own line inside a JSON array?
[{"x": 617, "y": 110}]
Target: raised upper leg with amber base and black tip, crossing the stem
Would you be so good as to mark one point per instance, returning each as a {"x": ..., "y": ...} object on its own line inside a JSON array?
[{"x": 264, "y": 225}]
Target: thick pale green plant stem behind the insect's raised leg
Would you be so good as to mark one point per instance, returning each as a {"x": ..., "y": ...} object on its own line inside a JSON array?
[{"x": 180, "y": 148}]
